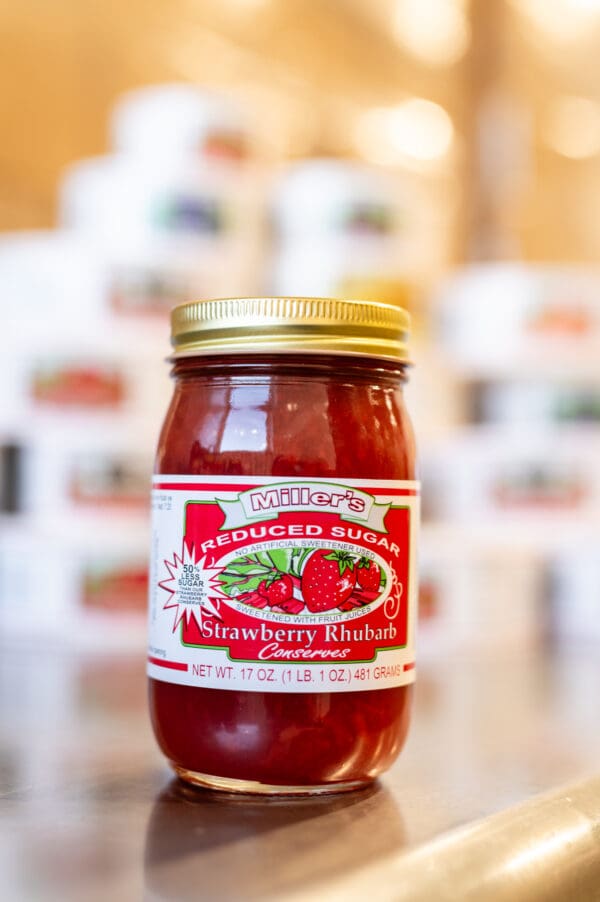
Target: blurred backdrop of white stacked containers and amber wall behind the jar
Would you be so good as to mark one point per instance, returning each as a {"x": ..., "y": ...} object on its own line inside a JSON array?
[{"x": 442, "y": 154}]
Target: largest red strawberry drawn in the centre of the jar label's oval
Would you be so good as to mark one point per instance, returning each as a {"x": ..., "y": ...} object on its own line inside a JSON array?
[{"x": 328, "y": 579}]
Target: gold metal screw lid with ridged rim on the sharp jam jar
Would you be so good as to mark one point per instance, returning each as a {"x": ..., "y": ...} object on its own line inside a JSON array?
[{"x": 290, "y": 325}]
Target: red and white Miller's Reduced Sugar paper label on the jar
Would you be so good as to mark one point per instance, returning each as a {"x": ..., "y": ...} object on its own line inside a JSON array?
[{"x": 283, "y": 585}]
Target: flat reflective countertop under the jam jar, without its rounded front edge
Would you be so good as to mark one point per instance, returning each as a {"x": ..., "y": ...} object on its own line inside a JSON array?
[{"x": 89, "y": 810}]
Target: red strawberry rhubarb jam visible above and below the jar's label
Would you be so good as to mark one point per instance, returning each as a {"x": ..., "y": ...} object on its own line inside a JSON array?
[{"x": 324, "y": 416}]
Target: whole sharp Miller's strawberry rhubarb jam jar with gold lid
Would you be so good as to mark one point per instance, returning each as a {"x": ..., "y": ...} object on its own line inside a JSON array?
[{"x": 283, "y": 581}]
